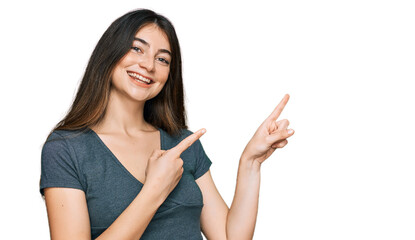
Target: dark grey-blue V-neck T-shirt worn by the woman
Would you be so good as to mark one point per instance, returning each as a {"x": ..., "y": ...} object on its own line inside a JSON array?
[{"x": 79, "y": 159}]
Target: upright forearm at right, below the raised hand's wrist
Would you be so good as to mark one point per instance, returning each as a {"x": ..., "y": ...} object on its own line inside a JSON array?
[{"x": 243, "y": 211}]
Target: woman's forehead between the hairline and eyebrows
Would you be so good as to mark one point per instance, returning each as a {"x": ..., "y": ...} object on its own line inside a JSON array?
[{"x": 153, "y": 35}]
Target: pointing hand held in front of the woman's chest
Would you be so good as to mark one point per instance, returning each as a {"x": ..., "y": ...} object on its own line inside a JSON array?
[{"x": 165, "y": 168}]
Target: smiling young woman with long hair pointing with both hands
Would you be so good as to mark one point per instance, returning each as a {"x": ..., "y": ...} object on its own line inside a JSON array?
[{"x": 122, "y": 164}]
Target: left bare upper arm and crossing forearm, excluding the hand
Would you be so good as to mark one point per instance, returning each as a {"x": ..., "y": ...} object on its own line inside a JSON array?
[{"x": 68, "y": 215}]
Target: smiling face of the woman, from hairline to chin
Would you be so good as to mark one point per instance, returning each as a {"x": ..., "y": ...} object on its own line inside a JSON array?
[{"x": 142, "y": 72}]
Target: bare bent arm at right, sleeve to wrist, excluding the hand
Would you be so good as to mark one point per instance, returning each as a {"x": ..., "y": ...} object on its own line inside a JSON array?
[{"x": 238, "y": 222}]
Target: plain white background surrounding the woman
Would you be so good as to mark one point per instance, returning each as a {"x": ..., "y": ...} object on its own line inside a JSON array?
[{"x": 347, "y": 173}]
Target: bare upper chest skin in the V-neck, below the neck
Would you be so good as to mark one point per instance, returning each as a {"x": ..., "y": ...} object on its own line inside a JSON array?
[{"x": 133, "y": 152}]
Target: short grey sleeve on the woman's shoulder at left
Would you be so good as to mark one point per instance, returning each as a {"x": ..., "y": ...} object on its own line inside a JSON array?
[{"x": 58, "y": 165}]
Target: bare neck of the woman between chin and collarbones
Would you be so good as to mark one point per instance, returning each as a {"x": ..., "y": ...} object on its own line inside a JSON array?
[{"x": 123, "y": 116}]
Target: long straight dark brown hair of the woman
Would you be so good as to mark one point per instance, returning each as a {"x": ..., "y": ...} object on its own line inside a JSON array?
[{"x": 166, "y": 110}]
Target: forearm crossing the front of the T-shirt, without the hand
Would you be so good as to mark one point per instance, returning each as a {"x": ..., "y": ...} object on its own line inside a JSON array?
[{"x": 134, "y": 220}]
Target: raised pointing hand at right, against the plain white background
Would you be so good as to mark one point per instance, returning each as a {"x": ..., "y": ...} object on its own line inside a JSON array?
[{"x": 272, "y": 134}]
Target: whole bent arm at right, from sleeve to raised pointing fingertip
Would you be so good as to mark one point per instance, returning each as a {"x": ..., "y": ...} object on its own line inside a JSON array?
[{"x": 239, "y": 221}]
